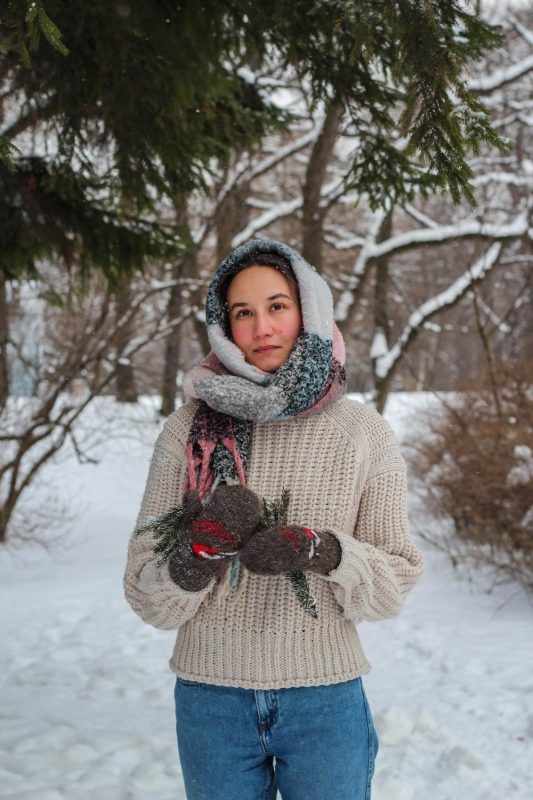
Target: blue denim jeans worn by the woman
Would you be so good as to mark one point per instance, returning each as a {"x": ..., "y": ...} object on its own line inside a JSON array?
[{"x": 310, "y": 743}]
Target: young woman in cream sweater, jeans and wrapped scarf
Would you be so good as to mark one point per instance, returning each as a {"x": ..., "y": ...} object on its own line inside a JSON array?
[{"x": 290, "y": 506}]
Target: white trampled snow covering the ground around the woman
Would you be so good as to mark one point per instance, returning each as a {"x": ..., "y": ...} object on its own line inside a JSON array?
[{"x": 86, "y": 694}]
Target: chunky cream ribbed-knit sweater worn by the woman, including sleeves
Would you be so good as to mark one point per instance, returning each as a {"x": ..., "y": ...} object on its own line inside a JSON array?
[{"x": 345, "y": 474}]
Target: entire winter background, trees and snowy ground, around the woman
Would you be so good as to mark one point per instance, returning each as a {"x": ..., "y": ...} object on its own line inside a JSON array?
[{"x": 392, "y": 144}]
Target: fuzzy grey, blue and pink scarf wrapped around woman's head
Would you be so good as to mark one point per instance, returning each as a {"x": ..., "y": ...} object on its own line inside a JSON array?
[{"x": 234, "y": 394}]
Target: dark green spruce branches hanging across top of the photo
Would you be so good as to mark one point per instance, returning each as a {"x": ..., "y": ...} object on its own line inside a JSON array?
[{"x": 138, "y": 100}]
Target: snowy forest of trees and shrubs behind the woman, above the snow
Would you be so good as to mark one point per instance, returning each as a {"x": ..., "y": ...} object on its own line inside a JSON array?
[{"x": 393, "y": 151}]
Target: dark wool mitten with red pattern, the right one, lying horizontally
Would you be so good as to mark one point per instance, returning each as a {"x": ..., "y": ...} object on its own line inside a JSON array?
[{"x": 291, "y": 547}]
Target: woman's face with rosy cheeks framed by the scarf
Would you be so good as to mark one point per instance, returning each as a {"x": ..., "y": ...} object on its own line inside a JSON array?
[{"x": 264, "y": 314}]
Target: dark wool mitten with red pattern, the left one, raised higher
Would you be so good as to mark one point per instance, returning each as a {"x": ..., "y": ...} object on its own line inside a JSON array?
[{"x": 213, "y": 534}]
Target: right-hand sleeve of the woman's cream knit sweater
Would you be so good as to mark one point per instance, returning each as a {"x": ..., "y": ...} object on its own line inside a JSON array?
[{"x": 379, "y": 564}]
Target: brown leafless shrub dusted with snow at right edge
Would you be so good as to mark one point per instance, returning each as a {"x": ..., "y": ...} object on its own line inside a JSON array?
[{"x": 474, "y": 461}]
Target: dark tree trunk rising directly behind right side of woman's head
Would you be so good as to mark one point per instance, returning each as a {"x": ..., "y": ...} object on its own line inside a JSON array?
[{"x": 313, "y": 215}]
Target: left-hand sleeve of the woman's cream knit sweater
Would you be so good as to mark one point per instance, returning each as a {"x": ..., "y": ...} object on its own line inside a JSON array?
[{"x": 148, "y": 587}]
